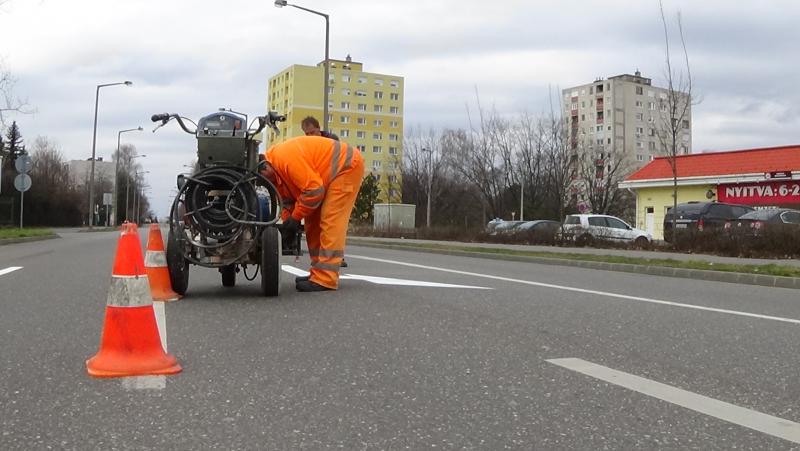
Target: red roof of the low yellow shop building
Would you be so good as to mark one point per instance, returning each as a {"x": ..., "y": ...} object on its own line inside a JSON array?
[{"x": 750, "y": 161}]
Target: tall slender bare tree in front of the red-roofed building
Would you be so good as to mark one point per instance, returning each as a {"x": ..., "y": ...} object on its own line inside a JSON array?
[{"x": 675, "y": 106}]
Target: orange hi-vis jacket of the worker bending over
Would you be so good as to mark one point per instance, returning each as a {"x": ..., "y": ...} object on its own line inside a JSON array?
[{"x": 305, "y": 166}]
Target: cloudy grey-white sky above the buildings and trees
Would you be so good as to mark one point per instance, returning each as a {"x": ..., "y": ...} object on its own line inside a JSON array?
[{"x": 193, "y": 57}]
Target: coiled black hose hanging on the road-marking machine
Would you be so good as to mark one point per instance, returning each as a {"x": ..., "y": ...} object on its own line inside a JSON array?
[{"x": 217, "y": 205}]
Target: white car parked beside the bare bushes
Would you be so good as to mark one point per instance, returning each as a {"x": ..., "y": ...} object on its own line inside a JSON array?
[{"x": 584, "y": 229}]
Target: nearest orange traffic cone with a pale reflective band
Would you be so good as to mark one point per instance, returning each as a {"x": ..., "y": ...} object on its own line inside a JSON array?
[{"x": 130, "y": 345}]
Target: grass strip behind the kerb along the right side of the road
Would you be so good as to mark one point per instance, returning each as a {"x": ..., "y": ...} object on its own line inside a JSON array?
[{"x": 768, "y": 270}]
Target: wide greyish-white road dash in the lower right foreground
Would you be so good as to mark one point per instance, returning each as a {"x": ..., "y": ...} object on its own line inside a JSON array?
[{"x": 777, "y": 427}]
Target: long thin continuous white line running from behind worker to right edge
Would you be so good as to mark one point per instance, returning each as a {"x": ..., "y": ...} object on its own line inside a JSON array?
[{"x": 582, "y": 290}]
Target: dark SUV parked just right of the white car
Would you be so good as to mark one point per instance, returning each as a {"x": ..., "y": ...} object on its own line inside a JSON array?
[{"x": 700, "y": 216}]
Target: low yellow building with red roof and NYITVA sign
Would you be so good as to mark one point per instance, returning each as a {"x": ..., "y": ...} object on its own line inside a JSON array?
[{"x": 756, "y": 177}]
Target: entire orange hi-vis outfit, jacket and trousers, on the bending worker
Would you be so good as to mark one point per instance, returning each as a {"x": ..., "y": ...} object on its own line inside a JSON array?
[{"x": 318, "y": 179}]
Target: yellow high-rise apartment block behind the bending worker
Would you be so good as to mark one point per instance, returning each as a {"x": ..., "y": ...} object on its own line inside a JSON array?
[{"x": 365, "y": 109}]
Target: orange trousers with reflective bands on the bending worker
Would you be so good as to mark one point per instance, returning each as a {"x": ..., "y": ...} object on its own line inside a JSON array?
[{"x": 326, "y": 227}]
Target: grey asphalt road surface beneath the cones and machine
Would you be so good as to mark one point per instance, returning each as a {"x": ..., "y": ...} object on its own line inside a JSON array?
[{"x": 395, "y": 367}]
